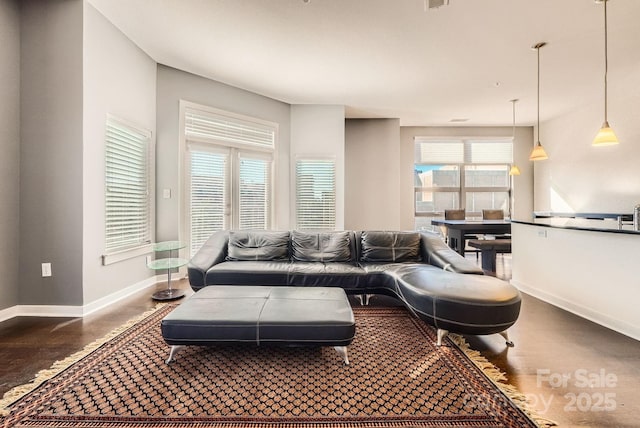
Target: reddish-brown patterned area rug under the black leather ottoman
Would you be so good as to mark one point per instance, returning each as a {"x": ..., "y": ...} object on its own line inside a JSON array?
[{"x": 397, "y": 377}]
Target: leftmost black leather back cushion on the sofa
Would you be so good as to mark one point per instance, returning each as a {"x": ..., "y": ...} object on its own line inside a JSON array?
[{"x": 258, "y": 245}]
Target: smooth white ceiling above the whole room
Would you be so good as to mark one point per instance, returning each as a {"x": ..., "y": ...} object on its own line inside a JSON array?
[{"x": 391, "y": 58}]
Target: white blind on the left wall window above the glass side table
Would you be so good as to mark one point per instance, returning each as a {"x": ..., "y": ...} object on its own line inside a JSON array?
[{"x": 127, "y": 186}]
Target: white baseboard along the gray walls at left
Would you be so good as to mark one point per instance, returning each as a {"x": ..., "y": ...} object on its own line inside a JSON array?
[{"x": 78, "y": 311}]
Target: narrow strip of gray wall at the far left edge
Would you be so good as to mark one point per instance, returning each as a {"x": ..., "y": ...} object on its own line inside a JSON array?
[{"x": 10, "y": 149}]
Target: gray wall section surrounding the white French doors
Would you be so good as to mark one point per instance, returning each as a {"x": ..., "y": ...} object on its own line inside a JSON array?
[{"x": 175, "y": 85}]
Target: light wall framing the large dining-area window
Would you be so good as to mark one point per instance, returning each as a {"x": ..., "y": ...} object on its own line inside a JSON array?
[{"x": 523, "y": 184}]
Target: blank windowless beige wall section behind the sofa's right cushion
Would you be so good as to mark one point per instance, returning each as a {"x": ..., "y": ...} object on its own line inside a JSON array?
[{"x": 372, "y": 174}]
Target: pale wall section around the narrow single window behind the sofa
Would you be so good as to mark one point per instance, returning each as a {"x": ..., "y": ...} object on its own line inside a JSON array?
[{"x": 318, "y": 131}]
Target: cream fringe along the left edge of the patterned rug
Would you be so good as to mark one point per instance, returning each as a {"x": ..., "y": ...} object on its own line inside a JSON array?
[{"x": 42, "y": 376}]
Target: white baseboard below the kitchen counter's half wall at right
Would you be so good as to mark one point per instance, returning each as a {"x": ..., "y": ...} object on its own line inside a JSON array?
[{"x": 605, "y": 320}]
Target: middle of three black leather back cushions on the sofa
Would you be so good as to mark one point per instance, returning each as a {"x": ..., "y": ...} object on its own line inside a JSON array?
[{"x": 321, "y": 247}]
